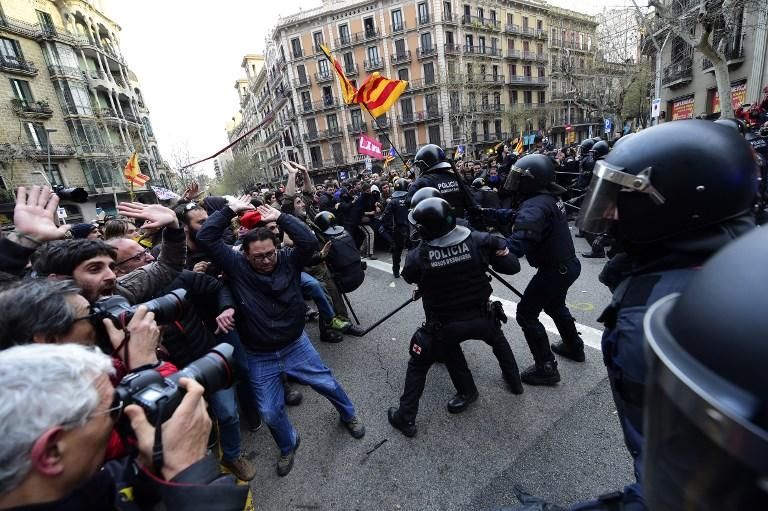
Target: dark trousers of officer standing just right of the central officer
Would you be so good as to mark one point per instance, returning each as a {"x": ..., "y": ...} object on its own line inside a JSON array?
[{"x": 547, "y": 291}]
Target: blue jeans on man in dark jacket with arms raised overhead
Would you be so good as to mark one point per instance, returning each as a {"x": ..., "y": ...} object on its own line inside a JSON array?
[{"x": 300, "y": 361}]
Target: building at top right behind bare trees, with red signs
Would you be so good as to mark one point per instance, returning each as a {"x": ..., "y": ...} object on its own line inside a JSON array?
[{"x": 688, "y": 87}]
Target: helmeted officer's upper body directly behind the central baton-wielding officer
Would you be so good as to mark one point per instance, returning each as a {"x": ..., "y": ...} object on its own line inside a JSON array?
[{"x": 435, "y": 171}]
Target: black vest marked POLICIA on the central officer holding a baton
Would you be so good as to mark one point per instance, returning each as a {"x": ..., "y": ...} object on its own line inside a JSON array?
[{"x": 453, "y": 278}]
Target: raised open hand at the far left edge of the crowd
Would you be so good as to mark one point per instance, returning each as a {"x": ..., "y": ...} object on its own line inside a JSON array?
[{"x": 34, "y": 213}]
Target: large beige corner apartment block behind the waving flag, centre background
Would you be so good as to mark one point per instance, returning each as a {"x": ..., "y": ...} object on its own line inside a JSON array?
[{"x": 478, "y": 73}]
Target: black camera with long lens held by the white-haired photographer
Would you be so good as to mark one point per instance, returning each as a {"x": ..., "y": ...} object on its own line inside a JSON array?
[{"x": 160, "y": 396}]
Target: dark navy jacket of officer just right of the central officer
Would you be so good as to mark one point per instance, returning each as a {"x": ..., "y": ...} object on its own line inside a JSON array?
[{"x": 542, "y": 220}]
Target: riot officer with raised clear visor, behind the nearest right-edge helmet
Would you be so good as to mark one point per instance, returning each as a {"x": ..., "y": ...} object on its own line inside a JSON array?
[{"x": 672, "y": 195}]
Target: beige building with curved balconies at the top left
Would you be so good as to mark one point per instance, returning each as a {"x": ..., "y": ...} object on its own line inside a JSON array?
[{"x": 68, "y": 91}]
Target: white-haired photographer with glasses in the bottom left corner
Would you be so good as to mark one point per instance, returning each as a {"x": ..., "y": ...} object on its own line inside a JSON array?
[{"x": 50, "y": 458}]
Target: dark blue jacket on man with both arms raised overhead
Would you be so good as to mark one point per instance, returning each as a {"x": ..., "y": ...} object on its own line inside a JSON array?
[{"x": 271, "y": 306}]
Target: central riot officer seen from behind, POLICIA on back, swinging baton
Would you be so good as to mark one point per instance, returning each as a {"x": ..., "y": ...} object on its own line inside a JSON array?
[{"x": 449, "y": 266}]
